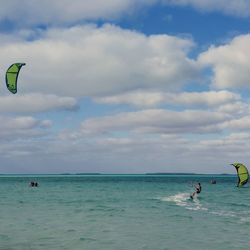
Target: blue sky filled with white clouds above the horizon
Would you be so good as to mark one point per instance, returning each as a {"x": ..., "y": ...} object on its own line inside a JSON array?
[{"x": 125, "y": 86}]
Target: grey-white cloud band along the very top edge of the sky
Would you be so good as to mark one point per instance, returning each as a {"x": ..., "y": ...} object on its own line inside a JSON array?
[{"x": 65, "y": 12}]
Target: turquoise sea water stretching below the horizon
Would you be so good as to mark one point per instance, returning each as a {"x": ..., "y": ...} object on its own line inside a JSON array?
[{"x": 123, "y": 212}]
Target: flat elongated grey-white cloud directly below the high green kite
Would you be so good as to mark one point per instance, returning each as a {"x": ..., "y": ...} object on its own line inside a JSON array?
[{"x": 36, "y": 103}]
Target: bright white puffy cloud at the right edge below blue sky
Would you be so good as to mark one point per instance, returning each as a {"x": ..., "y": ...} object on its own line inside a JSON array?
[{"x": 230, "y": 63}]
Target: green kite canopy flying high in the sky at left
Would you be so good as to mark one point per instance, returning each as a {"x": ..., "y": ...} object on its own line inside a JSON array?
[{"x": 12, "y": 76}]
